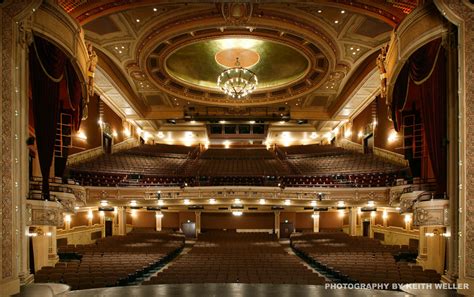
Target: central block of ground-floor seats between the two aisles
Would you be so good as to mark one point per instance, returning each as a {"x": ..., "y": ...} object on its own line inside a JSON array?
[{"x": 230, "y": 257}]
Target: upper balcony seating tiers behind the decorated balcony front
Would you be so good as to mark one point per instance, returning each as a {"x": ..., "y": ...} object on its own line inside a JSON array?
[{"x": 299, "y": 166}]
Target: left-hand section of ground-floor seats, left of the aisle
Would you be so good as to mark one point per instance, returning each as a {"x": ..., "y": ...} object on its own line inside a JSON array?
[{"x": 112, "y": 261}]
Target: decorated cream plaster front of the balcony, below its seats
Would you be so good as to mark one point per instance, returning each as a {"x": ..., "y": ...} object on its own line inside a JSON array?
[{"x": 300, "y": 197}]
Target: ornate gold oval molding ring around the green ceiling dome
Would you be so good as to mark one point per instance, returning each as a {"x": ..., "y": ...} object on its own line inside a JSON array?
[{"x": 163, "y": 39}]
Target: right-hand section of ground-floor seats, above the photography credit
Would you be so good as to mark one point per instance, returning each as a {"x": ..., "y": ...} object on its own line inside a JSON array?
[{"x": 358, "y": 259}]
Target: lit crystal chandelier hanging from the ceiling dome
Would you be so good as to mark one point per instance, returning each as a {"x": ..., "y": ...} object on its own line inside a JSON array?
[{"x": 237, "y": 81}]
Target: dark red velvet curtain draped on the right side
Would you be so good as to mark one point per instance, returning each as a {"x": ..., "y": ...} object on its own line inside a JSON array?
[{"x": 424, "y": 77}]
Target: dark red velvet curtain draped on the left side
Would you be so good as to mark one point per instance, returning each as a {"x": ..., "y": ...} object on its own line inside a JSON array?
[{"x": 50, "y": 73}]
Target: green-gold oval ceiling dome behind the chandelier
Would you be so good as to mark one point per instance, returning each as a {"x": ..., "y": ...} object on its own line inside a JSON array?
[{"x": 199, "y": 64}]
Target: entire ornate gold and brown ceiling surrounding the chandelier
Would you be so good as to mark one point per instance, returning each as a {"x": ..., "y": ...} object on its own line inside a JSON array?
[{"x": 168, "y": 54}]
